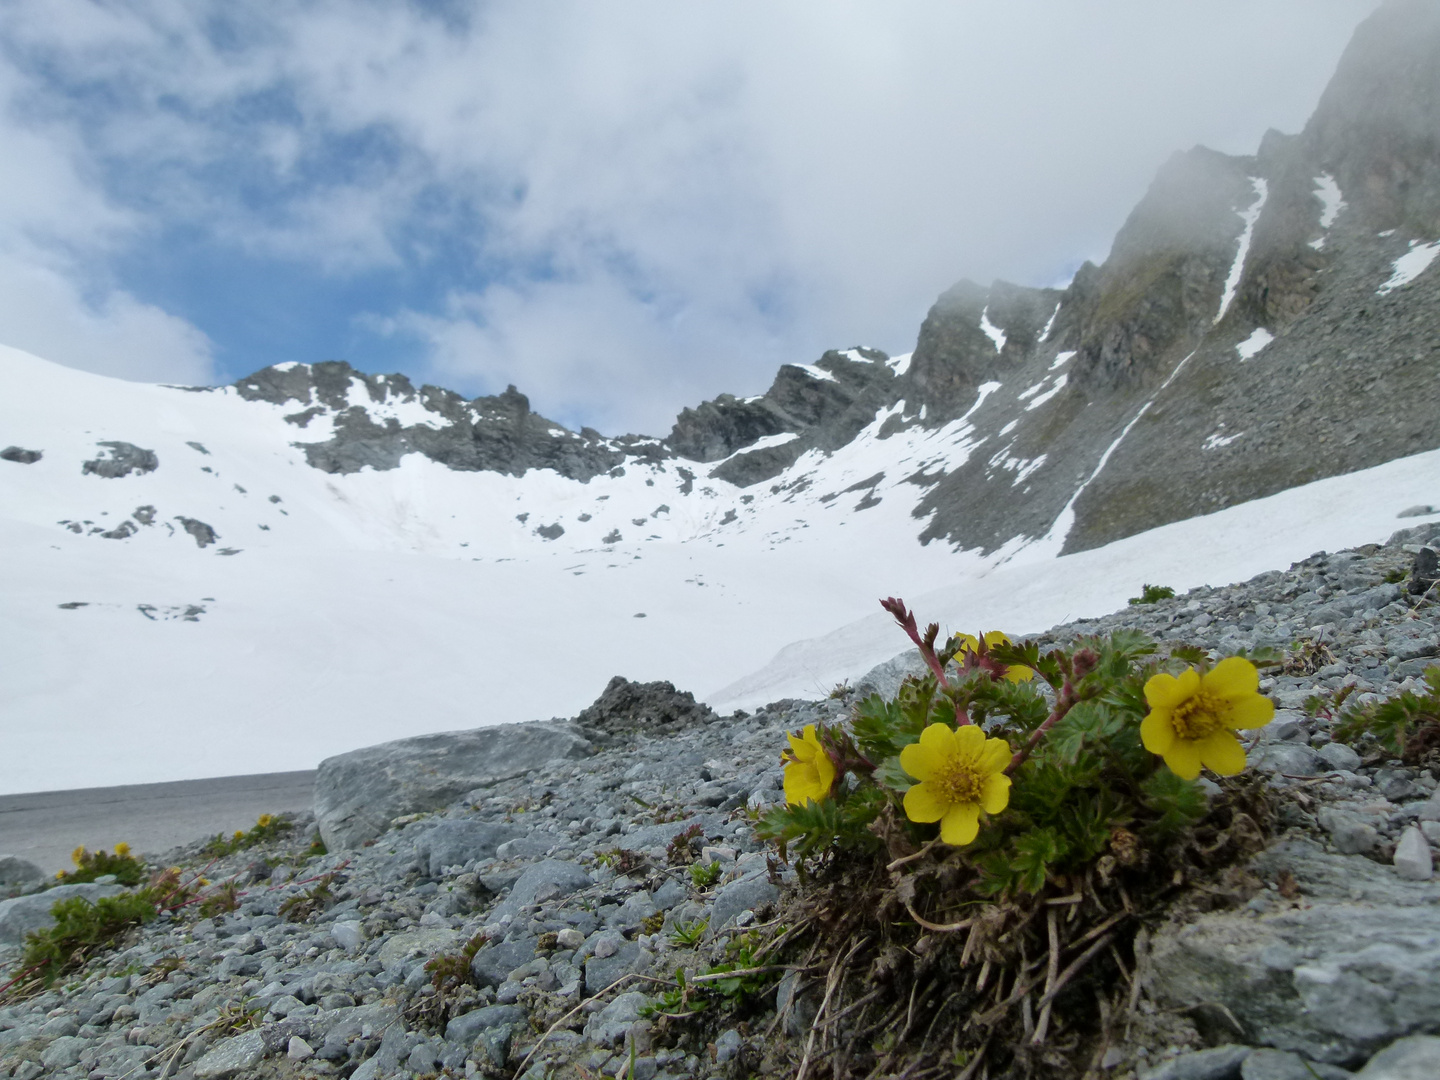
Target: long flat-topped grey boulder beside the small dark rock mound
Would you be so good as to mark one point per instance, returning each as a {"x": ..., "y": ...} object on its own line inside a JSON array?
[{"x": 359, "y": 794}]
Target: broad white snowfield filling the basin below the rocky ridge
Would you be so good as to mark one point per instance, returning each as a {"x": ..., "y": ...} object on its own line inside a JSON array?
[{"x": 341, "y": 610}]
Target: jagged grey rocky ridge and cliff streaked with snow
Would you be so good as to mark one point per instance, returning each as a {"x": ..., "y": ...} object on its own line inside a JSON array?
[{"x": 1261, "y": 323}]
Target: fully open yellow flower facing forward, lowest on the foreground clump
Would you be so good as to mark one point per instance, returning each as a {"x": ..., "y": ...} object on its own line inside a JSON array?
[{"x": 960, "y": 775}]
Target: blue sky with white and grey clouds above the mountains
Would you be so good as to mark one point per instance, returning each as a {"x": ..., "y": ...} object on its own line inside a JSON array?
[{"x": 623, "y": 210}]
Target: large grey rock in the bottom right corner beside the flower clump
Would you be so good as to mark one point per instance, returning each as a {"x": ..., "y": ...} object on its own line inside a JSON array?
[{"x": 1337, "y": 977}]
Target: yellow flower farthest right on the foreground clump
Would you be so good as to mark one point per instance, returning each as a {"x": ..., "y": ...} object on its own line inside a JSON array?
[{"x": 1193, "y": 718}]
